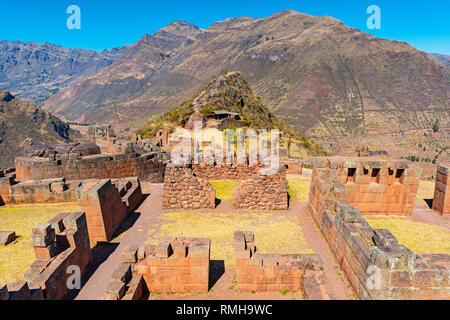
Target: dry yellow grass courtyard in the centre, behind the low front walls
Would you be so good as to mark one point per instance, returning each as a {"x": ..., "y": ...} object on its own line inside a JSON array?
[{"x": 274, "y": 232}]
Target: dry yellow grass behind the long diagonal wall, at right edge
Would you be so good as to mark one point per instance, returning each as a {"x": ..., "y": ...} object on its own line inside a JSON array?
[{"x": 417, "y": 236}]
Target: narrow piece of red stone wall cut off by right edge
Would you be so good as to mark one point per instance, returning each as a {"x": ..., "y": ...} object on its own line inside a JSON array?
[{"x": 441, "y": 200}]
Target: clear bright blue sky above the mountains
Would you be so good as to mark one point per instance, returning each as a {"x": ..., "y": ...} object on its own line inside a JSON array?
[{"x": 111, "y": 23}]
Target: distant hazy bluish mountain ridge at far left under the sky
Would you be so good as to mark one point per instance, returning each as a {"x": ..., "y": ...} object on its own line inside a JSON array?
[{"x": 35, "y": 71}]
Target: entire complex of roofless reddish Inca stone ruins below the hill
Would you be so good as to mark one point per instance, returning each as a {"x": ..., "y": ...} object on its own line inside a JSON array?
[{"x": 115, "y": 191}]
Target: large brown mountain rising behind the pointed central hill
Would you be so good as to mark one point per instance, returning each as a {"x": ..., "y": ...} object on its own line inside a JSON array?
[{"x": 332, "y": 77}]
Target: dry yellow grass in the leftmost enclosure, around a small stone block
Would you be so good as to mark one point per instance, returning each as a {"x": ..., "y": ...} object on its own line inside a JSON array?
[{"x": 16, "y": 258}]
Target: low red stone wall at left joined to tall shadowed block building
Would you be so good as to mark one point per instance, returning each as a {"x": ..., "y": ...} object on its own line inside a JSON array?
[{"x": 106, "y": 203}]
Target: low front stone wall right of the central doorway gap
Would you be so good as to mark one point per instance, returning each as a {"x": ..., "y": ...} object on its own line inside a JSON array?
[{"x": 275, "y": 272}]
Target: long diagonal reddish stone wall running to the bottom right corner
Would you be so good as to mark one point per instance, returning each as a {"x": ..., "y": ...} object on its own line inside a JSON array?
[{"x": 375, "y": 264}]
